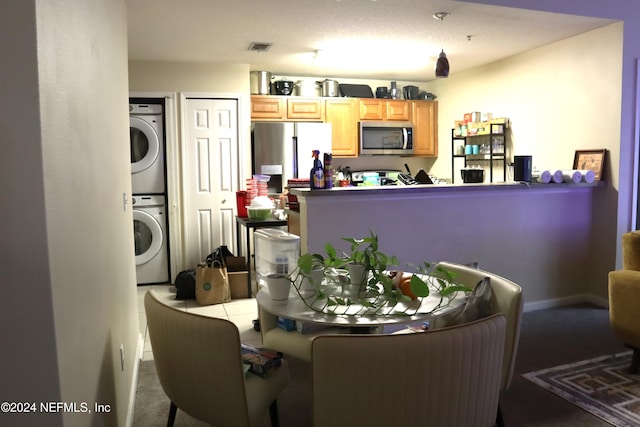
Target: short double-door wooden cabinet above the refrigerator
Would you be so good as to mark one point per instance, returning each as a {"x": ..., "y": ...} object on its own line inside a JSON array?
[{"x": 265, "y": 108}]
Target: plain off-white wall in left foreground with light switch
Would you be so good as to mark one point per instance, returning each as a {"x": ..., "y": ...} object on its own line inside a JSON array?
[{"x": 69, "y": 276}]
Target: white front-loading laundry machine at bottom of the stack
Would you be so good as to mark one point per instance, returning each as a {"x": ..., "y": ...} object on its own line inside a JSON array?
[{"x": 150, "y": 235}]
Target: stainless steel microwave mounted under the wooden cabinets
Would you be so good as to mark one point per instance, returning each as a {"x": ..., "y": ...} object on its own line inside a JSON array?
[{"x": 386, "y": 138}]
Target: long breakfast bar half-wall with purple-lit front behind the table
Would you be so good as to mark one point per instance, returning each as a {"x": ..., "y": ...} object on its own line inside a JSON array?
[{"x": 542, "y": 236}]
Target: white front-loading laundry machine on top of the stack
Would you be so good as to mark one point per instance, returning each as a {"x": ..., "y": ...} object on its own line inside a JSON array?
[{"x": 147, "y": 148}]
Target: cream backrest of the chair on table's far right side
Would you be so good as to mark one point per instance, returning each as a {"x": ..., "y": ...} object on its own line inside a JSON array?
[{"x": 506, "y": 299}]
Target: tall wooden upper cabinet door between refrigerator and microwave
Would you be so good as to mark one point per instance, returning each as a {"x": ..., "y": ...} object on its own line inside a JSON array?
[{"x": 343, "y": 115}]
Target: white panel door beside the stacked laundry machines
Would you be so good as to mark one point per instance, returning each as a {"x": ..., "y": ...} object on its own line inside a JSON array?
[{"x": 210, "y": 176}]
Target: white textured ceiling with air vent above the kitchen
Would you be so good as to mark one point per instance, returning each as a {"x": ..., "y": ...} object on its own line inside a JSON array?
[{"x": 369, "y": 39}]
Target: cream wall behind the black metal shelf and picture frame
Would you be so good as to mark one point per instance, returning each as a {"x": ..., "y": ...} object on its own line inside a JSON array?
[{"x": 560, "y": 97}]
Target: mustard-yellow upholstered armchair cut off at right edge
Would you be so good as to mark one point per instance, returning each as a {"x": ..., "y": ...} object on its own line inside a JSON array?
[{"x": 624, "y": 297}]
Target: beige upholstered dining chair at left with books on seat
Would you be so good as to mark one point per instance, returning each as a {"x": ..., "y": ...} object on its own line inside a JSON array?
[{"x": 199, "y": 366}]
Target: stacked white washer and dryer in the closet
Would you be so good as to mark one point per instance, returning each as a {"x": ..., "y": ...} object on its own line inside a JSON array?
[{"x": 146, "y": 131}]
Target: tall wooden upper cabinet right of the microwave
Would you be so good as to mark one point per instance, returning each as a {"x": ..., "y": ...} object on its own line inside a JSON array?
[{"x": 425, "y": 128}]
